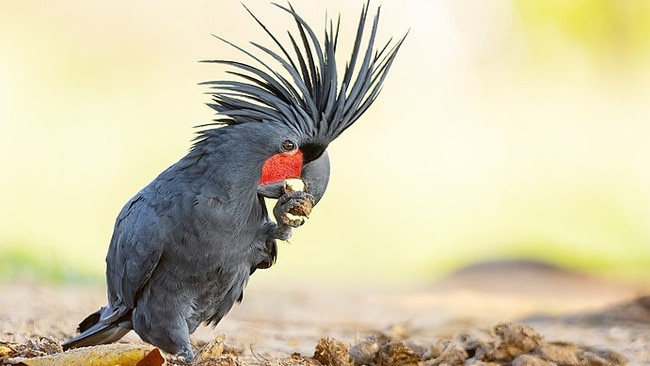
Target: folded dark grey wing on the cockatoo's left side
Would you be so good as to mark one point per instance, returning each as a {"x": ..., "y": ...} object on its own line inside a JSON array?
[{"x": 136, "y": 247}]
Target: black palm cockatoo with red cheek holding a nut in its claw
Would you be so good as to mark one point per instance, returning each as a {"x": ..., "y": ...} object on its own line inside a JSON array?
[{"x": 184, "y": 247}]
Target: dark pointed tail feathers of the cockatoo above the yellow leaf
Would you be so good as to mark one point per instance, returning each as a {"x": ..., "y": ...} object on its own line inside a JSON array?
[{"x": 99, "y": 327}]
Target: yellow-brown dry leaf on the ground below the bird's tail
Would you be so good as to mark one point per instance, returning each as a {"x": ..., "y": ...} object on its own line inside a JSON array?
[{"x": 103, "y": 355}]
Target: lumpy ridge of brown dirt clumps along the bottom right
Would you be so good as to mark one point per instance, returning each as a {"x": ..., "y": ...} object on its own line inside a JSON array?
[{"x": 503, "y": 344}]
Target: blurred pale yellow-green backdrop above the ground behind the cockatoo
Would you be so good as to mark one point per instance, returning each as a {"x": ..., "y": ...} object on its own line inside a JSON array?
[{"x": 506, "y": 129}]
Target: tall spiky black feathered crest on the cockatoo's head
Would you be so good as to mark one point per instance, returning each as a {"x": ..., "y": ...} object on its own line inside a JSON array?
[{"x": 308, "y": 95}]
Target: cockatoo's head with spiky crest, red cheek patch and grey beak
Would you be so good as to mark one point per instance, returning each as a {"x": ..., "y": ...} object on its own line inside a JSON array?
[{"x": 301, "y": 97}]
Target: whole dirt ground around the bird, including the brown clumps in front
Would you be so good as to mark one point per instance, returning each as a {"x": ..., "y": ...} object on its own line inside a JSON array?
[{"x": 602, "y": 322}]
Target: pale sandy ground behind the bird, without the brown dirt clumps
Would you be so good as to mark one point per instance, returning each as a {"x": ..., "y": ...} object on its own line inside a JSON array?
[{"x": 273, "y": 323}]
